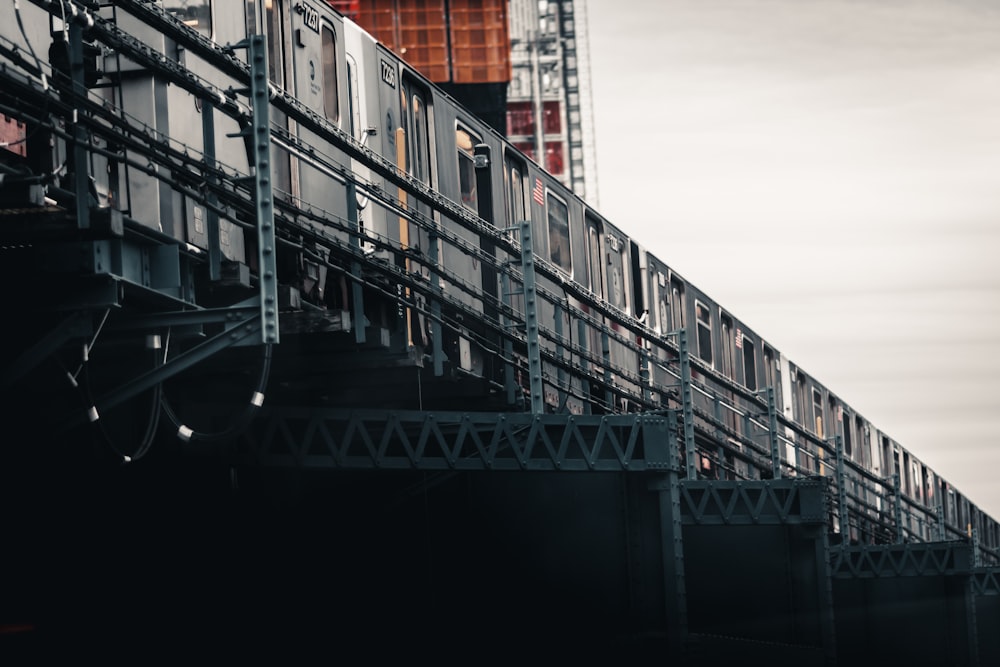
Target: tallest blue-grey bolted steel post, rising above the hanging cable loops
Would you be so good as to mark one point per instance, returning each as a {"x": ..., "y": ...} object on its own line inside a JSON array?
[{"x": 261, "y": 133}]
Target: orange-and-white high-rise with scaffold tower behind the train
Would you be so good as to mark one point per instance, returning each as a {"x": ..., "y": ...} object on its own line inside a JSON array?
[{"x": 520, "y": 65}]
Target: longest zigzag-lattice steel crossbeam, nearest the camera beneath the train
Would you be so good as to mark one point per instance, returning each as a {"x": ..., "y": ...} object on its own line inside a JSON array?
[{"x": 336, "y": 438}]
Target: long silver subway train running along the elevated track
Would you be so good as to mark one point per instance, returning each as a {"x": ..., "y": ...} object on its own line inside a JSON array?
[{"x": 399, "y": 209}]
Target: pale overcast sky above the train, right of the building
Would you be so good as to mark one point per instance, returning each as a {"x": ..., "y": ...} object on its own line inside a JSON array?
[{"x": 828, "y": 171}]
